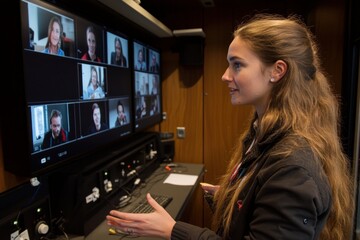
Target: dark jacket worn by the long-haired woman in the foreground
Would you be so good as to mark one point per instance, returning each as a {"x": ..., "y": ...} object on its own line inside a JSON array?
[{"x": 287, "y": 198}]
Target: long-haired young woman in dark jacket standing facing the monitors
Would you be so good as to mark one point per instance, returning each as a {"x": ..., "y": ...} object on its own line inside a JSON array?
[{"x": 288, "y": 178}]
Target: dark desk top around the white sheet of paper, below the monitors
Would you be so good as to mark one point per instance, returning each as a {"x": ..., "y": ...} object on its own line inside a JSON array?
[{"x": 154, "y": 184}]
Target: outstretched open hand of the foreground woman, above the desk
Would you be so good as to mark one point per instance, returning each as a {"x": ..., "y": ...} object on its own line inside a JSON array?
[{"x": 156, "y": 224}]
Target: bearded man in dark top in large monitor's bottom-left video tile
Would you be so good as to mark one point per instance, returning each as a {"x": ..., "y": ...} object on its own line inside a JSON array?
[{"x": 56, "y": 135}]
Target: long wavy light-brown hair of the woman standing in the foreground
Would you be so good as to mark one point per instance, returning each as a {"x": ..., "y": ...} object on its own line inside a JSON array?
[{"x": 304, "y": 104}]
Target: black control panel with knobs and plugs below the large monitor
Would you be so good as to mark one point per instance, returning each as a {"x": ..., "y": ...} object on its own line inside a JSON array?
[{"x": 83, "y": 196}]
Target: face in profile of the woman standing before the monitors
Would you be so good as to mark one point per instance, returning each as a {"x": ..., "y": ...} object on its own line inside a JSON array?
[{"x": 246, "y": 76}]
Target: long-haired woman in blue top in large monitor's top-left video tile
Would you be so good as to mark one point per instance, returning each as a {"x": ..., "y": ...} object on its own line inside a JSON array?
[{"x": 53, "y": 44}]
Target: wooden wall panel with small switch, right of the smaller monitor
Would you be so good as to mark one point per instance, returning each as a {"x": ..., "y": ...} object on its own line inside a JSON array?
[{"x": 183, "y": 103}]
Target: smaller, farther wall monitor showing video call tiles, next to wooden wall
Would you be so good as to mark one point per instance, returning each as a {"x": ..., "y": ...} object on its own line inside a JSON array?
[{"x": 147, "y": 86}]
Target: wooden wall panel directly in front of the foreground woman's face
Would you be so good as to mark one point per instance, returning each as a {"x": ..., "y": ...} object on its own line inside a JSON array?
[{"x": 223, "y": 122}]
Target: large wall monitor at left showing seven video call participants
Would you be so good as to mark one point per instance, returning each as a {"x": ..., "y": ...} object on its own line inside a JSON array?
[{"x": 77, "y": 100}]
